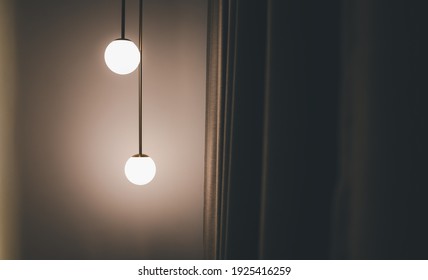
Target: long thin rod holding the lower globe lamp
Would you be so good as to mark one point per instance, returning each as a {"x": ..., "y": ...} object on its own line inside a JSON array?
[{"x": 140, "y": 81}]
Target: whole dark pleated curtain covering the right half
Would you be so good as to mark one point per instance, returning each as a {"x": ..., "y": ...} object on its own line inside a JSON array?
[{"x": 316, "y": 130}]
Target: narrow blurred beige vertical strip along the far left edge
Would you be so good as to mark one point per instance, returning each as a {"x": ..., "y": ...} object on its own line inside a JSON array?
[{"x": 8, "y": 188}]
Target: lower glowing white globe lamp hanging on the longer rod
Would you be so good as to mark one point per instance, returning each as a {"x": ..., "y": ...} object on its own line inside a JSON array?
[{"x": 140, "y": 169}]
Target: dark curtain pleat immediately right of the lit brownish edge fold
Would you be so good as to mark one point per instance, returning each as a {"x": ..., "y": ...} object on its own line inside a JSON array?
[{"x": 247, "y": 60}]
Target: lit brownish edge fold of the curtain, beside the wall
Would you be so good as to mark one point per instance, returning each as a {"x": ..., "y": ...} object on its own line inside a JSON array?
[{"x": 213, "y": 129}]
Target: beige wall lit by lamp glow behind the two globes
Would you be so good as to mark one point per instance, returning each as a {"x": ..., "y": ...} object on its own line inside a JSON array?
[{"x": 77, "y": 126}]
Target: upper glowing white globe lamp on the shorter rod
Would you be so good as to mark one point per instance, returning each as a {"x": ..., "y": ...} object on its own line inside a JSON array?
[{"x": 122, "y": 56}]
